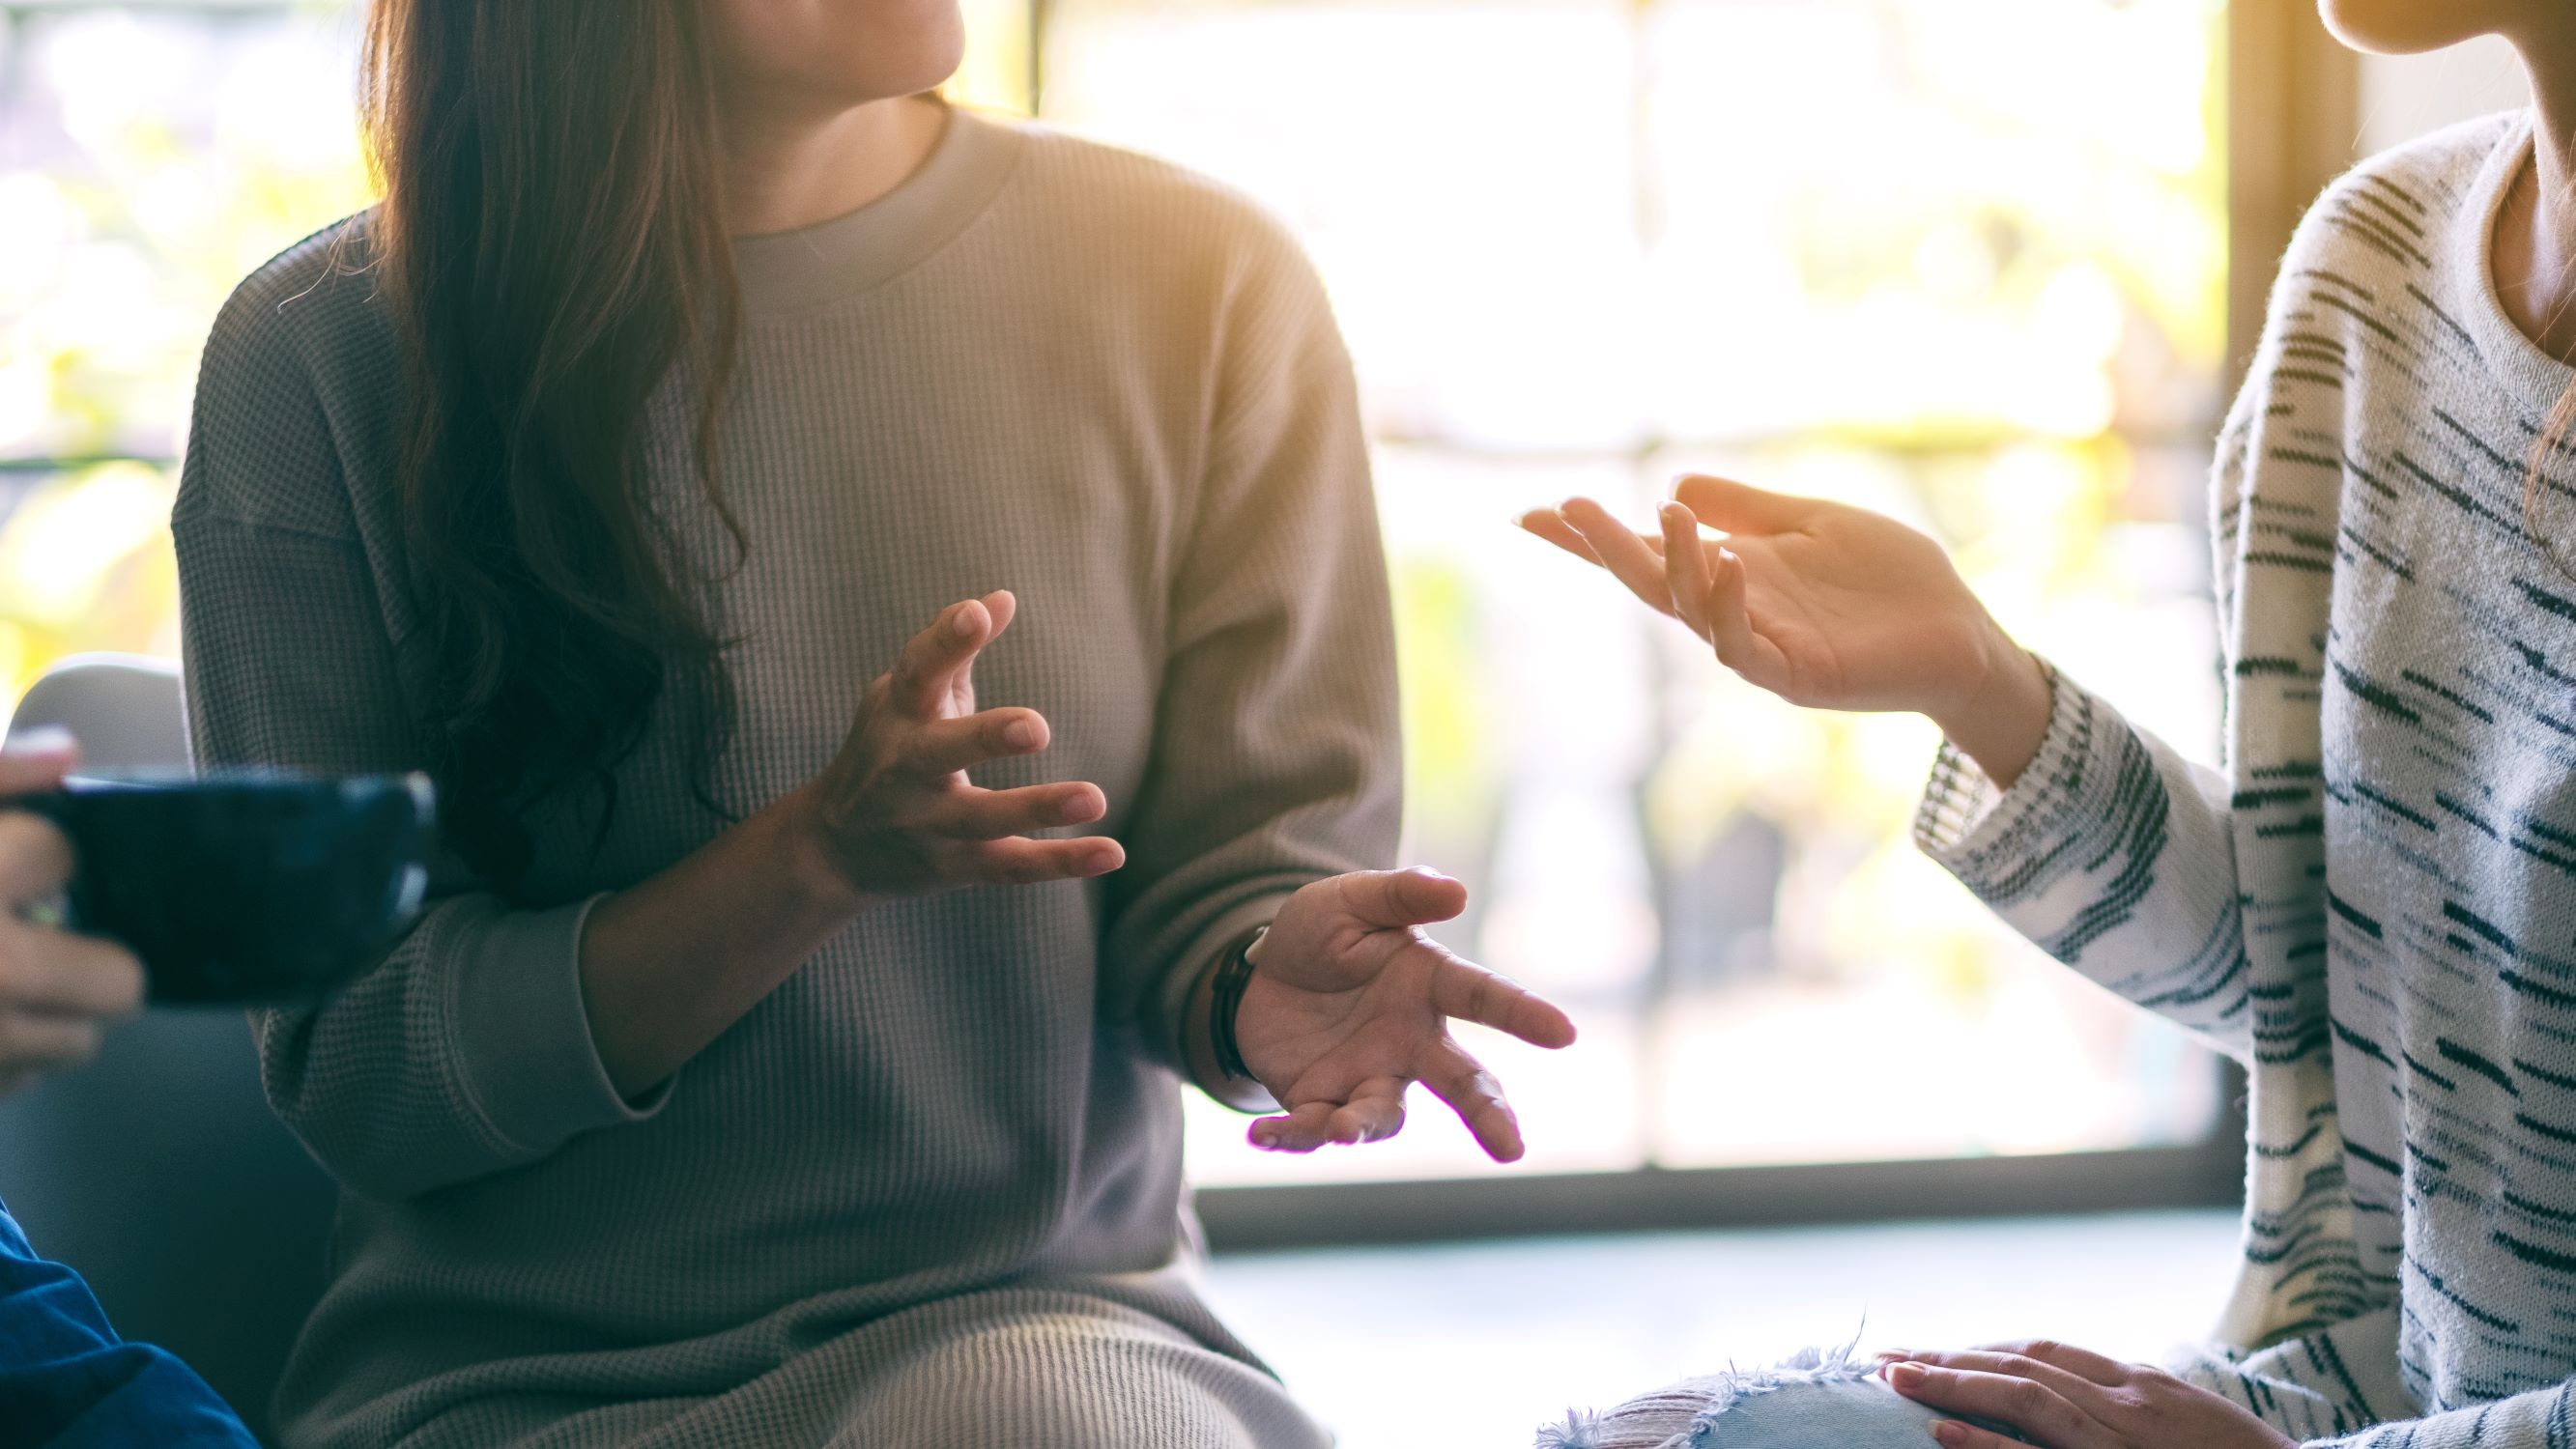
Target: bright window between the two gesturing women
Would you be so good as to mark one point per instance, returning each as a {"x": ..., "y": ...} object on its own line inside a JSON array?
[{"x": 1954, "y": 259}]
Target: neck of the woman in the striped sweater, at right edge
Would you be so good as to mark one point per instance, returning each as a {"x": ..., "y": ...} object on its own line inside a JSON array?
[{"x": 2536, "y": 230}]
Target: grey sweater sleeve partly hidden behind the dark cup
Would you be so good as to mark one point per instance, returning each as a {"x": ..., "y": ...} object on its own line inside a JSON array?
[{"x": 468, "y": 1049}]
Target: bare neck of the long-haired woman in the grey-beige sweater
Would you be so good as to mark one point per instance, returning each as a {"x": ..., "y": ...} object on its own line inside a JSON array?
[{"x": 790, "y": 169}]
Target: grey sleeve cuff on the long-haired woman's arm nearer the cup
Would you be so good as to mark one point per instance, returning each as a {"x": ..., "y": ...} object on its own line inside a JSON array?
[{"x": 524, "y": 1033}]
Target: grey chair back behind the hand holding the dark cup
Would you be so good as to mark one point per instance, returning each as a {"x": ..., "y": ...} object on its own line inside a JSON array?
[{"x": 158, "y": 1170}]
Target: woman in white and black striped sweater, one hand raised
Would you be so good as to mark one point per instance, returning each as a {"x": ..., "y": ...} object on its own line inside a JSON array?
[{"x": 2374, "y": 902}]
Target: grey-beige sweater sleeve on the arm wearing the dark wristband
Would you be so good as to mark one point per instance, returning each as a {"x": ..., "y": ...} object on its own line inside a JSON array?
[{"x": 1276, "y": 755}]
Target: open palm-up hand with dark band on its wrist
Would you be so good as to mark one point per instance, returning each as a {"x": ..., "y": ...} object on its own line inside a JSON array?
[{"x": 1349, "y": 1005}]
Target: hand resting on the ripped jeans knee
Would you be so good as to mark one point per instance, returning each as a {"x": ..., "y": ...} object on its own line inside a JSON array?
[{"x": 2070, "y": 1399}]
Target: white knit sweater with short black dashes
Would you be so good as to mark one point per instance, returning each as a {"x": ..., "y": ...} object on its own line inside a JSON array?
[{"x": 2374, "y": 905}]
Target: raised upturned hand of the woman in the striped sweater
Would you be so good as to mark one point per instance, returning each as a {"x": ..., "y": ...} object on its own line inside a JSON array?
[{"x": 1825, "y": 606}]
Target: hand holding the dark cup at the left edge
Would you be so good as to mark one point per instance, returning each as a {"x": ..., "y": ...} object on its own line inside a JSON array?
[{"x": 58, "y": 990}]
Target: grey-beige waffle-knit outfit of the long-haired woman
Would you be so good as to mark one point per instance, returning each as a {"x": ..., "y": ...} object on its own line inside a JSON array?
[{"x": 929, "y": 1193}]
